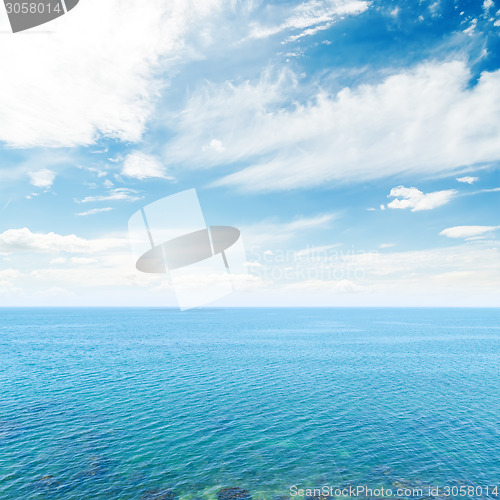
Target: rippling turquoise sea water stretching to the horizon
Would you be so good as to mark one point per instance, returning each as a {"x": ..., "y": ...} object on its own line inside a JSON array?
[{"x": 130, "y": 403}]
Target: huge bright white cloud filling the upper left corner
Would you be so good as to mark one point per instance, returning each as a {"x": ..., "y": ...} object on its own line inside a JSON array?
[{"x": 94, "y": 73}]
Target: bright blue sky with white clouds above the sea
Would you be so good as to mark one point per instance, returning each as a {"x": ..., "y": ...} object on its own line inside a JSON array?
[{"x": 354, "y": 143}]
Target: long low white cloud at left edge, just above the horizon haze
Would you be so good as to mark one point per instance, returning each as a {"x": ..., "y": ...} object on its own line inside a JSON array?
[{"x": 16, "y": 240}]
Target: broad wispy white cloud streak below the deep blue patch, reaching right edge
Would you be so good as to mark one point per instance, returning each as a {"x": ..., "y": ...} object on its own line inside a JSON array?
[{"x": 425, "y": 121}]
